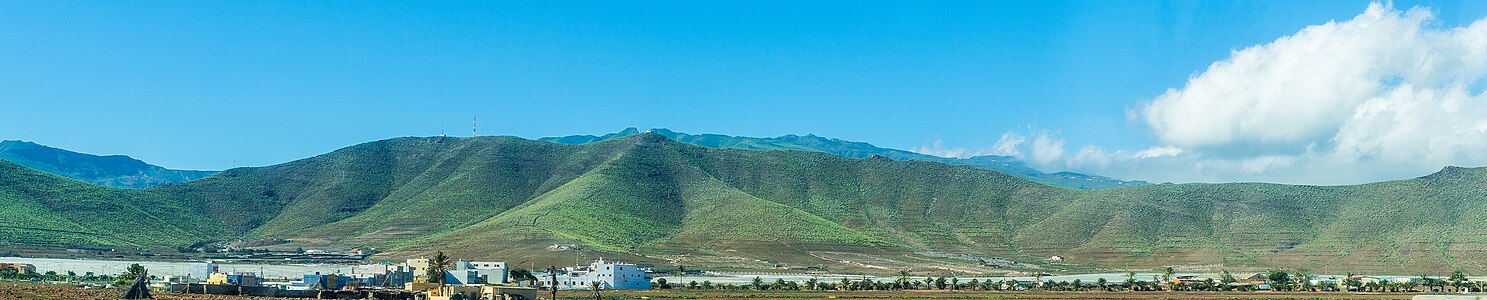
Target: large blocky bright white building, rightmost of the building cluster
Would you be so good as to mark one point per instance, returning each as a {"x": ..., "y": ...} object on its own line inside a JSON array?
[{"x": 610, "y": 275}]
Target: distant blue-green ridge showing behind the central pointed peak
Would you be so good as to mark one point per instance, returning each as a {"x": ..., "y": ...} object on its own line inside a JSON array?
[{"x": 862, "y": 151}]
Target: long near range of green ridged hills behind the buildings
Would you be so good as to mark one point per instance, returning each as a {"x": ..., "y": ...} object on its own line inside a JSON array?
[{"x": 652, "y": 200}]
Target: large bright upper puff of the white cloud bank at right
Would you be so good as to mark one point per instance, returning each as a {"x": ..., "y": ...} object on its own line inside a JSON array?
[{"x": 1293, "y": 91}]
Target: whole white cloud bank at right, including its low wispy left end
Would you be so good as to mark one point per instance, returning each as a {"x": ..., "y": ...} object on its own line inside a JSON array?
[{"x": 1384, "y": 96}]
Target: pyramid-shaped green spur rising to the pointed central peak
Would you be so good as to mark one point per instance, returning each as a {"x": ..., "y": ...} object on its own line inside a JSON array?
[{"x": 648, "y": 197}]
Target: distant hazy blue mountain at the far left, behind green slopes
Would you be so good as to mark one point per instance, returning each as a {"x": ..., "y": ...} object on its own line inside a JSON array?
[{"x": 115, "y": 172}]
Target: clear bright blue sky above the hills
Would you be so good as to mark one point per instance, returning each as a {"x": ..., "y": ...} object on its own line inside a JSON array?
[{"x": 210, "y": 85}]
